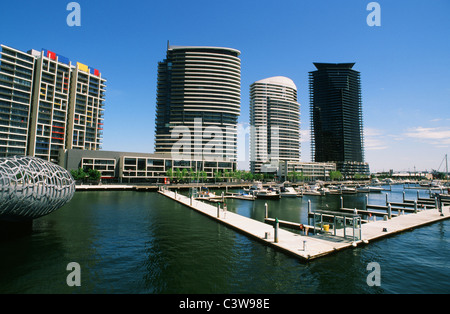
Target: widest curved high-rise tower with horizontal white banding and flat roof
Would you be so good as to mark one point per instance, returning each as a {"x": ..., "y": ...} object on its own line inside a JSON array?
[{"x": 199, "y": 89}]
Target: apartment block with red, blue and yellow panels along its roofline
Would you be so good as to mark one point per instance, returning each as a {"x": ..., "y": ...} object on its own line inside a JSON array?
[{"x": 48, "y": 104}]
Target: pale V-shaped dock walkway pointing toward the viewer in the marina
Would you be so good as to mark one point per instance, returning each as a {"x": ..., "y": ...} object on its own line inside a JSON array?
[{"x": 298, "y": 244}]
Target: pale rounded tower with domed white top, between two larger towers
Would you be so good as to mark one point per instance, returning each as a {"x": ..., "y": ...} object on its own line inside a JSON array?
[{"x": 274, "y": 122}]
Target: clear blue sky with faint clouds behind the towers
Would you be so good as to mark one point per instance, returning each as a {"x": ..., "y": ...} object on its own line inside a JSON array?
[{"x": 404, "y": 63}]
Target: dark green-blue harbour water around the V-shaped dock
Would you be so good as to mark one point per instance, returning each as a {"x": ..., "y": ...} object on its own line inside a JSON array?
[{"x": 142, "y": 242}]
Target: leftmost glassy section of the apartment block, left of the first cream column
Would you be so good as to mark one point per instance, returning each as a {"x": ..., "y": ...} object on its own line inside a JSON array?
[{"x": 16, "y": 84}]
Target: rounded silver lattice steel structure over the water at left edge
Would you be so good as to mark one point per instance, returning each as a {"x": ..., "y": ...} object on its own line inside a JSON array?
[{"x": 31, "y": 188}]
